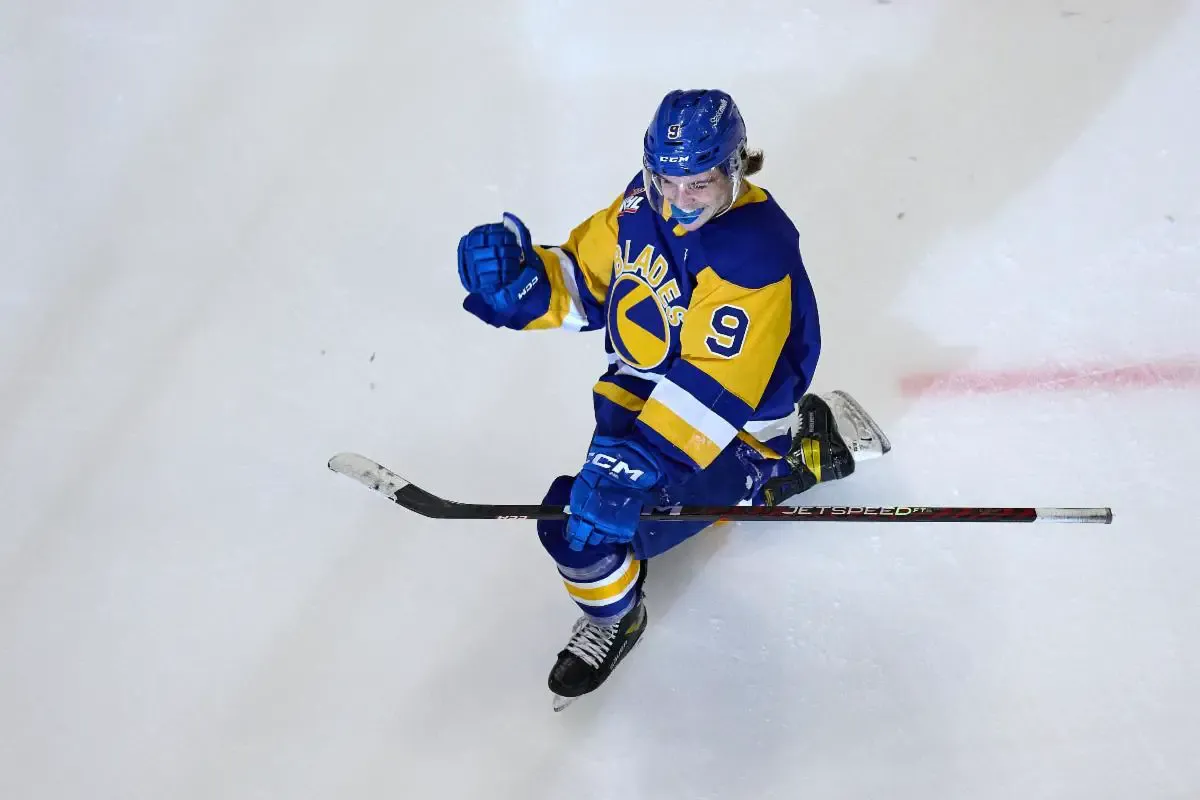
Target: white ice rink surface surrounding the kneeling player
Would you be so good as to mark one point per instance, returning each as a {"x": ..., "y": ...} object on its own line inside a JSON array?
[{"x": 227, "y": 236}]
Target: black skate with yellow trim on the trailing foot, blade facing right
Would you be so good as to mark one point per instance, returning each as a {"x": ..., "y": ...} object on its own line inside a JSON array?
[{"x": 835, "y": 434}]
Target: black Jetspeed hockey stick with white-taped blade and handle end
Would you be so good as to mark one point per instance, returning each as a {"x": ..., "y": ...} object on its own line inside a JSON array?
[{"x": 404, "y": 494}]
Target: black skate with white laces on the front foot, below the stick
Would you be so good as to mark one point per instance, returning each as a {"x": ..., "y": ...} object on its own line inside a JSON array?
[{"x": 596, "y": 651}]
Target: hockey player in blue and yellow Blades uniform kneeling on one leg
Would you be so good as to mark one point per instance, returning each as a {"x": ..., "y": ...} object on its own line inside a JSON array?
[{"x": 712, "y": 336}]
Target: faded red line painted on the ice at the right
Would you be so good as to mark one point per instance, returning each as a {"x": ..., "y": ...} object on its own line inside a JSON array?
[{"x": 1174, "y": 375}]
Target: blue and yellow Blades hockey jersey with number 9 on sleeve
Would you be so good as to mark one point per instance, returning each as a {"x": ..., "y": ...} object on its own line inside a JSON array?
[{"x": 712, "y": 335}]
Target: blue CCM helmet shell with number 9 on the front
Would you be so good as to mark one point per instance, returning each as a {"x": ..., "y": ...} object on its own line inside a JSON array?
[{"x": 694, "y": 131}]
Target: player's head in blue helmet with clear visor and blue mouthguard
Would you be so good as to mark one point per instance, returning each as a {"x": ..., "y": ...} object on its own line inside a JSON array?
[{"x": 693, "y": 134}]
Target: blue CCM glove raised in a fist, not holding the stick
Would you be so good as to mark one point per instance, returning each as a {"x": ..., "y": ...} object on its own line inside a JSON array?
[{"x": 499, "y": 267}]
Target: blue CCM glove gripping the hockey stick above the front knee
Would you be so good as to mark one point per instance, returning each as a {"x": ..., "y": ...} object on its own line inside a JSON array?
[{"x": 619, "y": 480}]
